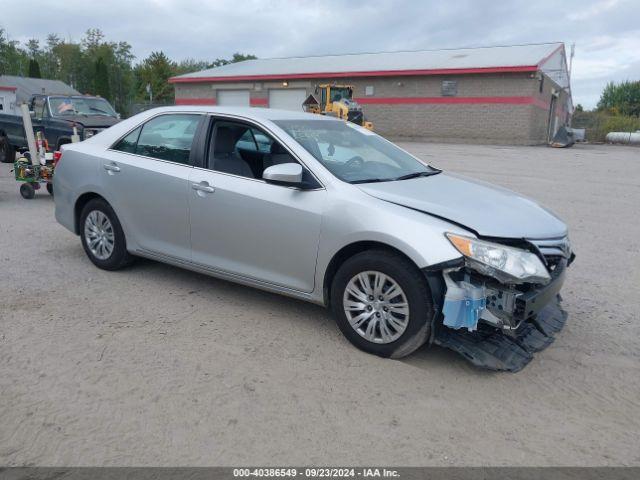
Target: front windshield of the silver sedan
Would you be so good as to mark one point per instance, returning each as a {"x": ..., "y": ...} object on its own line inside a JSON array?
[{"x": 352, "y": 153}]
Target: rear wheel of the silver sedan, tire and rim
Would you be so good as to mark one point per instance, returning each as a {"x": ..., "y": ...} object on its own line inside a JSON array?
[{"x": 102, "y": 237}]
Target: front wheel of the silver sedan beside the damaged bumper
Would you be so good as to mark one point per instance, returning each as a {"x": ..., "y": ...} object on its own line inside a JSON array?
[{"x": 382, "y": 303}]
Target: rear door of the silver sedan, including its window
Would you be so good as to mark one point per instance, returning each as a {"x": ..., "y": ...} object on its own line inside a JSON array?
[{"x": 146, "y": 174}]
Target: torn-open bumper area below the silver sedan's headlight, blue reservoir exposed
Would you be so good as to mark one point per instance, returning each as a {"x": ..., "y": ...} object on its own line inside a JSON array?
[{"x": 499, "y": 326}]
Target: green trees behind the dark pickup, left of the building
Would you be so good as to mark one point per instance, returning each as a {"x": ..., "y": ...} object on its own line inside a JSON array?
[{"x": 100, "y": 67}]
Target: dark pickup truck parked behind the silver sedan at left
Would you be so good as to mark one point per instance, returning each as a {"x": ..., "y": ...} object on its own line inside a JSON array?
[{"x": 55, "y": 116}]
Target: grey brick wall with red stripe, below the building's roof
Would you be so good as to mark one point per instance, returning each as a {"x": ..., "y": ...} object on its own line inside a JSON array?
[{"x": 507, "y": 108}]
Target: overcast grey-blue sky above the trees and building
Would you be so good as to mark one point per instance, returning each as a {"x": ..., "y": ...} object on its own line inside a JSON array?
[{"x": 606, "y": 32}]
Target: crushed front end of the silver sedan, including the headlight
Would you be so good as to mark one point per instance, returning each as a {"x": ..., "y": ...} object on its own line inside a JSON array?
[{"x": 498, "y": 311}]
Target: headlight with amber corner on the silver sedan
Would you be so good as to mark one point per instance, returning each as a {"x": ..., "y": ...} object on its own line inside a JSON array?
[{"x": 507, "y": 264}]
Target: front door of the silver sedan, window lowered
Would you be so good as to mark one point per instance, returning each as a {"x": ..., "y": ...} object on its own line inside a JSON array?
[{"x": 243, "y": 226}]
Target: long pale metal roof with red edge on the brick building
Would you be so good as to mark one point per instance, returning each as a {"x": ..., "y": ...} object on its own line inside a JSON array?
[{"x": 514, "y": 58}]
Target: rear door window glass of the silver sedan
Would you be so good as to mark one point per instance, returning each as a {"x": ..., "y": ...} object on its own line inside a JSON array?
[{"x": 167, "y": 137}]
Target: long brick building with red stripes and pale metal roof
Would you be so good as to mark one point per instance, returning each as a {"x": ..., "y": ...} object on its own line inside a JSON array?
[{"x": 511, "y": 95}]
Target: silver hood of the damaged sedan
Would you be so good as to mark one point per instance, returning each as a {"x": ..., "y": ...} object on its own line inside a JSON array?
[{"x": 488, "y": 210}]
